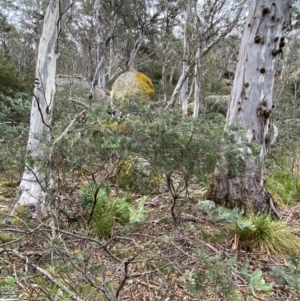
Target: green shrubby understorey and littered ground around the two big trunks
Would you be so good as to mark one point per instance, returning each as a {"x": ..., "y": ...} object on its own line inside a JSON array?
[{"x": 129, "y": 218}]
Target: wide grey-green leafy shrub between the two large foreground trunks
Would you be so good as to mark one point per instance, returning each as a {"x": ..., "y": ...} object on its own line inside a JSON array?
[{"x": 177, "y": 148}]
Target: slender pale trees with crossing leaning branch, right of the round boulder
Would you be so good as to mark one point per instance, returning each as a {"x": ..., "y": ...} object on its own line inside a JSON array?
[{"x": 211, "y": 22}]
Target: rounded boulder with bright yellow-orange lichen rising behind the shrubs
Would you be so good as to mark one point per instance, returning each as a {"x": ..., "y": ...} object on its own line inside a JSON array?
[{"x": 133, "y": 84}]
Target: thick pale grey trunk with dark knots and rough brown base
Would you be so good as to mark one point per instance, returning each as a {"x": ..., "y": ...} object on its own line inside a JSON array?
[{"x": 251, "y": 106}]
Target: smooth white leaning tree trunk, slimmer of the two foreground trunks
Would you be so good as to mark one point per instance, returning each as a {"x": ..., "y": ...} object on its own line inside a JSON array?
[{"x": 36, "y": 179}]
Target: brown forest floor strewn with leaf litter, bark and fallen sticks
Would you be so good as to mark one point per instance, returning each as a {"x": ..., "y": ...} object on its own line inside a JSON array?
[{"x": 154, "y": 259}]
